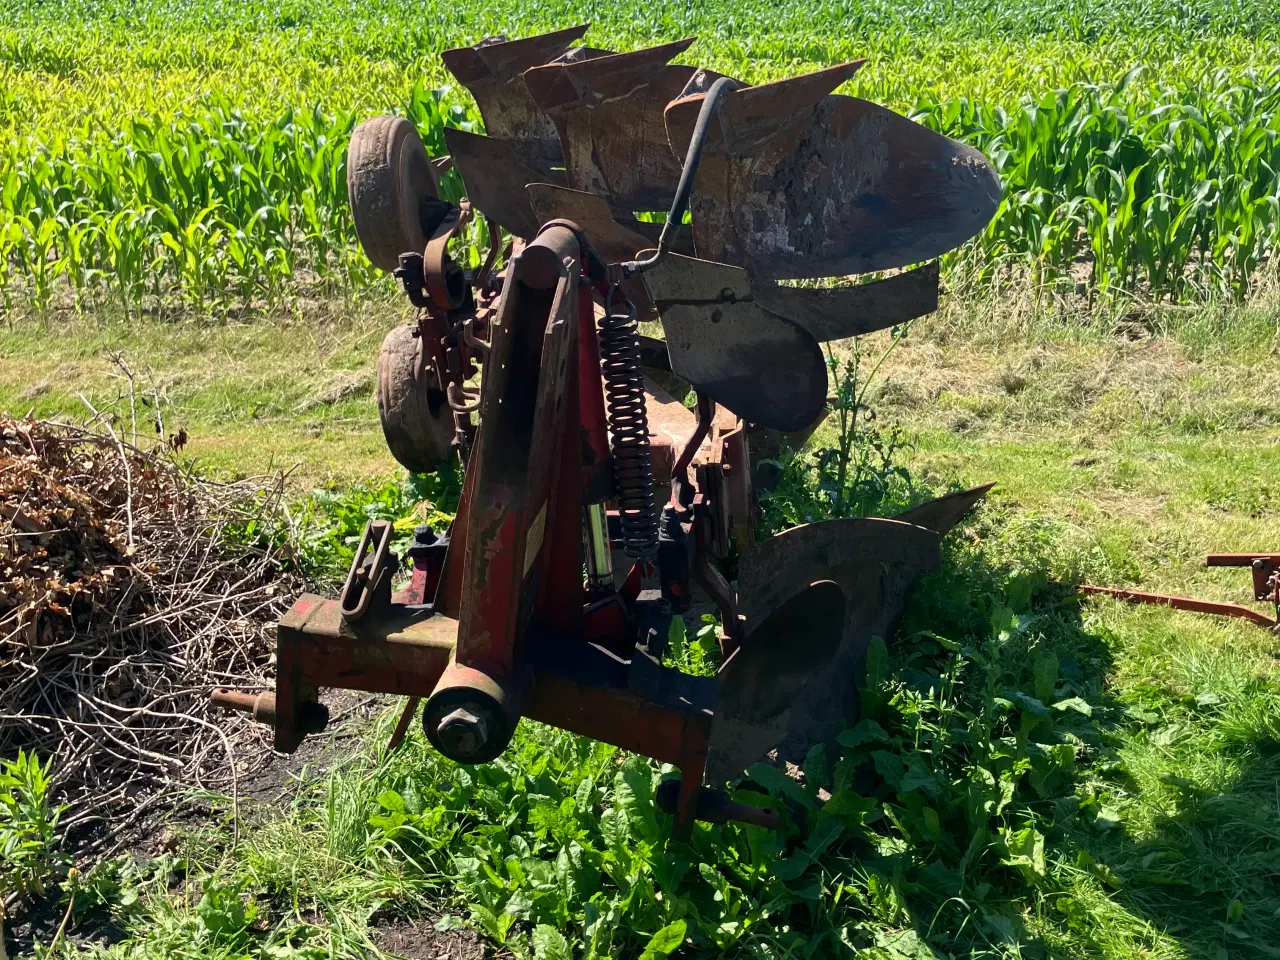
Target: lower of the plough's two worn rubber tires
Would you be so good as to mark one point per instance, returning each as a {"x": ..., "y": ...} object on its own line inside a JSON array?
[{"x": 418, "y": 423}]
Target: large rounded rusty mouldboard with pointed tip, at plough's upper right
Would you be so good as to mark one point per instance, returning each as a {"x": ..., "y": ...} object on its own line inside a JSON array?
[{"x": 798, "y": 184}]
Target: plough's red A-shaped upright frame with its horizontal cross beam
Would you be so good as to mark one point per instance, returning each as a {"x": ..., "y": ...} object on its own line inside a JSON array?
[{"x": 518, "y": 534}]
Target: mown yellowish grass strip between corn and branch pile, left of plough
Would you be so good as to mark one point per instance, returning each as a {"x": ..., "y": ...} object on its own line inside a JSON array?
[{"x": 290, "y": 395}]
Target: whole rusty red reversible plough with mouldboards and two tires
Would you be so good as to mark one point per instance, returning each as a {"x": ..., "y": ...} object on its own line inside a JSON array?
[{"x": 596, "y": 506}]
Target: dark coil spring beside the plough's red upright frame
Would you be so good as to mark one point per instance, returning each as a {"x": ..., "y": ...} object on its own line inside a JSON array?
[{"x": 629, "y": 426}]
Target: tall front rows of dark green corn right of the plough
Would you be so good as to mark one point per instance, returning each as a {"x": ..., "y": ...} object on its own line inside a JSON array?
[{"x": 1181, "y": 198}]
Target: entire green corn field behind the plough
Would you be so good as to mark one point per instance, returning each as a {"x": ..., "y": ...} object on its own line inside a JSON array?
[{"x": 1139, "y": 147}]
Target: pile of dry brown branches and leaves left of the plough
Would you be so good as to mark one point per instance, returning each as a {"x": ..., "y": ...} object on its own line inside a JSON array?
[{"x": 122, "y": 604}]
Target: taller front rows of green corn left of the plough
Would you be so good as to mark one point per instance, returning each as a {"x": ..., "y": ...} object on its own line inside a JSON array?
[{"x": 213, "y": 211}]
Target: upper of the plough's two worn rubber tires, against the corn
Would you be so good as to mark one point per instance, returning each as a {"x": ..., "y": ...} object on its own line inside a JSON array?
[{"x": 388, "y": 176}]
